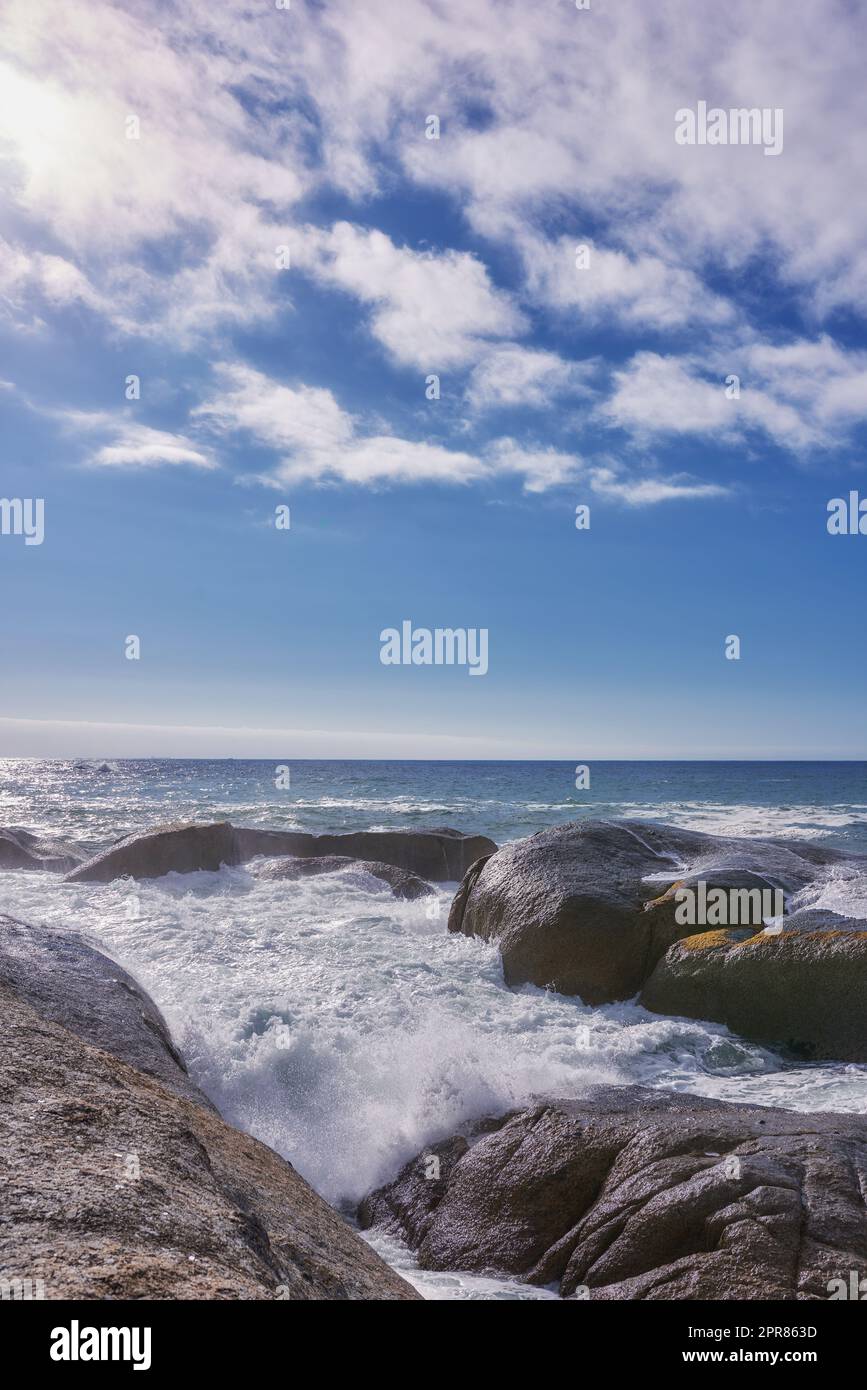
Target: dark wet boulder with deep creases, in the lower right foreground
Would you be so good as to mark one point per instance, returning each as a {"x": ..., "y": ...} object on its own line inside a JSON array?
[{"x": 633, "y": 1193}]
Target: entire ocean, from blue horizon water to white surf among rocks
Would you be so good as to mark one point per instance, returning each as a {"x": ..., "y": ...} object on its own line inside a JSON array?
[{"x": 348, "y": 1029}]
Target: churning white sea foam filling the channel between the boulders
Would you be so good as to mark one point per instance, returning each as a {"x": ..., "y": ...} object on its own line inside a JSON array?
[{"x": 348, "y": 1029}]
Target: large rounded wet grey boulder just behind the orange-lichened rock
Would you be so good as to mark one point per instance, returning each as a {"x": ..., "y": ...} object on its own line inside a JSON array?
[{"x": 584, "y": 910}]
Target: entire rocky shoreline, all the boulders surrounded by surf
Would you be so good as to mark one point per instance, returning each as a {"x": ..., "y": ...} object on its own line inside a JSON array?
[{"x": 123, "y": 1181}]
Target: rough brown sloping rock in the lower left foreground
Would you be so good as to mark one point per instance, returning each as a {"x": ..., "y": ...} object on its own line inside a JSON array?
[{"x": 123, "y": 1186}]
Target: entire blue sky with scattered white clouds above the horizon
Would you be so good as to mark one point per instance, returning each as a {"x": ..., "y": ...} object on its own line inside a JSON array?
[{"x": 262, "y": 384}]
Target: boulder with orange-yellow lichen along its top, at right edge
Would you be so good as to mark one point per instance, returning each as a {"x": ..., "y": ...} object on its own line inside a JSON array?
[{"x": 801, "y": 990}]
